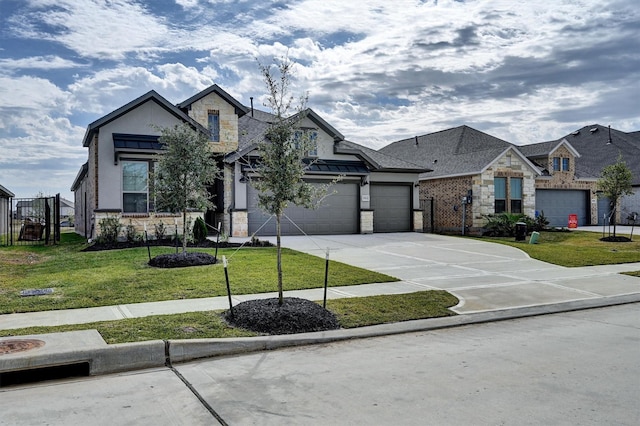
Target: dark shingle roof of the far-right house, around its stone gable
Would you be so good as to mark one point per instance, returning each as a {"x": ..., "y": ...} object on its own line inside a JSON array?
[{"x": 596, "y": 152}]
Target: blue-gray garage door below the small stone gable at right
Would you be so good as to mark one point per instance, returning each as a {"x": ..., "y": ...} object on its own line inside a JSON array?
[{"x": 557, "y": 205}]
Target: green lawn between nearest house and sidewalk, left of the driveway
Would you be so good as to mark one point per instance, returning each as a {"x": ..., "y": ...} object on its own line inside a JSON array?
[{"x": 111, "y": 277}]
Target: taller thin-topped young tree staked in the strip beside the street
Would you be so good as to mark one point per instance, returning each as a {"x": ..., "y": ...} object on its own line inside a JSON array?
[{"x": 280, "y": 168}]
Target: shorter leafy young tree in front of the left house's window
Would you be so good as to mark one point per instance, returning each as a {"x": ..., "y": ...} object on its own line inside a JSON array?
[{"x": 182, "y": 173}]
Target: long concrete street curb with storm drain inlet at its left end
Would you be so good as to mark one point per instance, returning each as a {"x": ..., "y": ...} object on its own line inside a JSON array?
[{"x": 64, "y": 349}]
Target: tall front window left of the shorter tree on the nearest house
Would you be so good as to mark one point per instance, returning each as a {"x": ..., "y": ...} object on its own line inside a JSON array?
[{"x": 135, "y": 187}]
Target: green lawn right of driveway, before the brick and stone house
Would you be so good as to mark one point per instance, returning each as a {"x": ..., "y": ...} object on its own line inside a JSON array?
[{"x": 576, "y": 248}]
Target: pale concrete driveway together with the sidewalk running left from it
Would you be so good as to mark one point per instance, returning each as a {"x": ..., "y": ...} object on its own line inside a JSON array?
[{"x": 484, "y": 276}]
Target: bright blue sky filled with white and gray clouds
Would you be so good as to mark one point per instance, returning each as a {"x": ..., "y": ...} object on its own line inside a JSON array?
[{"x": 377, "y": 70}]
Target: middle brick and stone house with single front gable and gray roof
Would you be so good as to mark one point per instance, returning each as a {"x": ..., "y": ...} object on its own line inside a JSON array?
[{"x": 474, "y": 175}]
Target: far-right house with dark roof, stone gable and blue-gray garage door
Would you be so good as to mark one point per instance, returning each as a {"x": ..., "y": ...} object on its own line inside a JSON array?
[{"x": 571, "y": 168}]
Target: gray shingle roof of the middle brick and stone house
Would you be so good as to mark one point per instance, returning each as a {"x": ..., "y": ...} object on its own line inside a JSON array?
[{"x": 454, "y": 152}]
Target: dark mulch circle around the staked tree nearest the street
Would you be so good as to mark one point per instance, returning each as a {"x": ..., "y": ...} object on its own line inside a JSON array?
[{"x": 294, "y": 316}]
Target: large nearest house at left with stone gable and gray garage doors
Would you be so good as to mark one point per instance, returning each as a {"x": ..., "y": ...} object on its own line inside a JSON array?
[{"x": 122, "y": 146}]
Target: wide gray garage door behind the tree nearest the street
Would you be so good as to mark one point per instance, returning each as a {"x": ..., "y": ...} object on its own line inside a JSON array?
[{"x": 338, "y": 214}]
